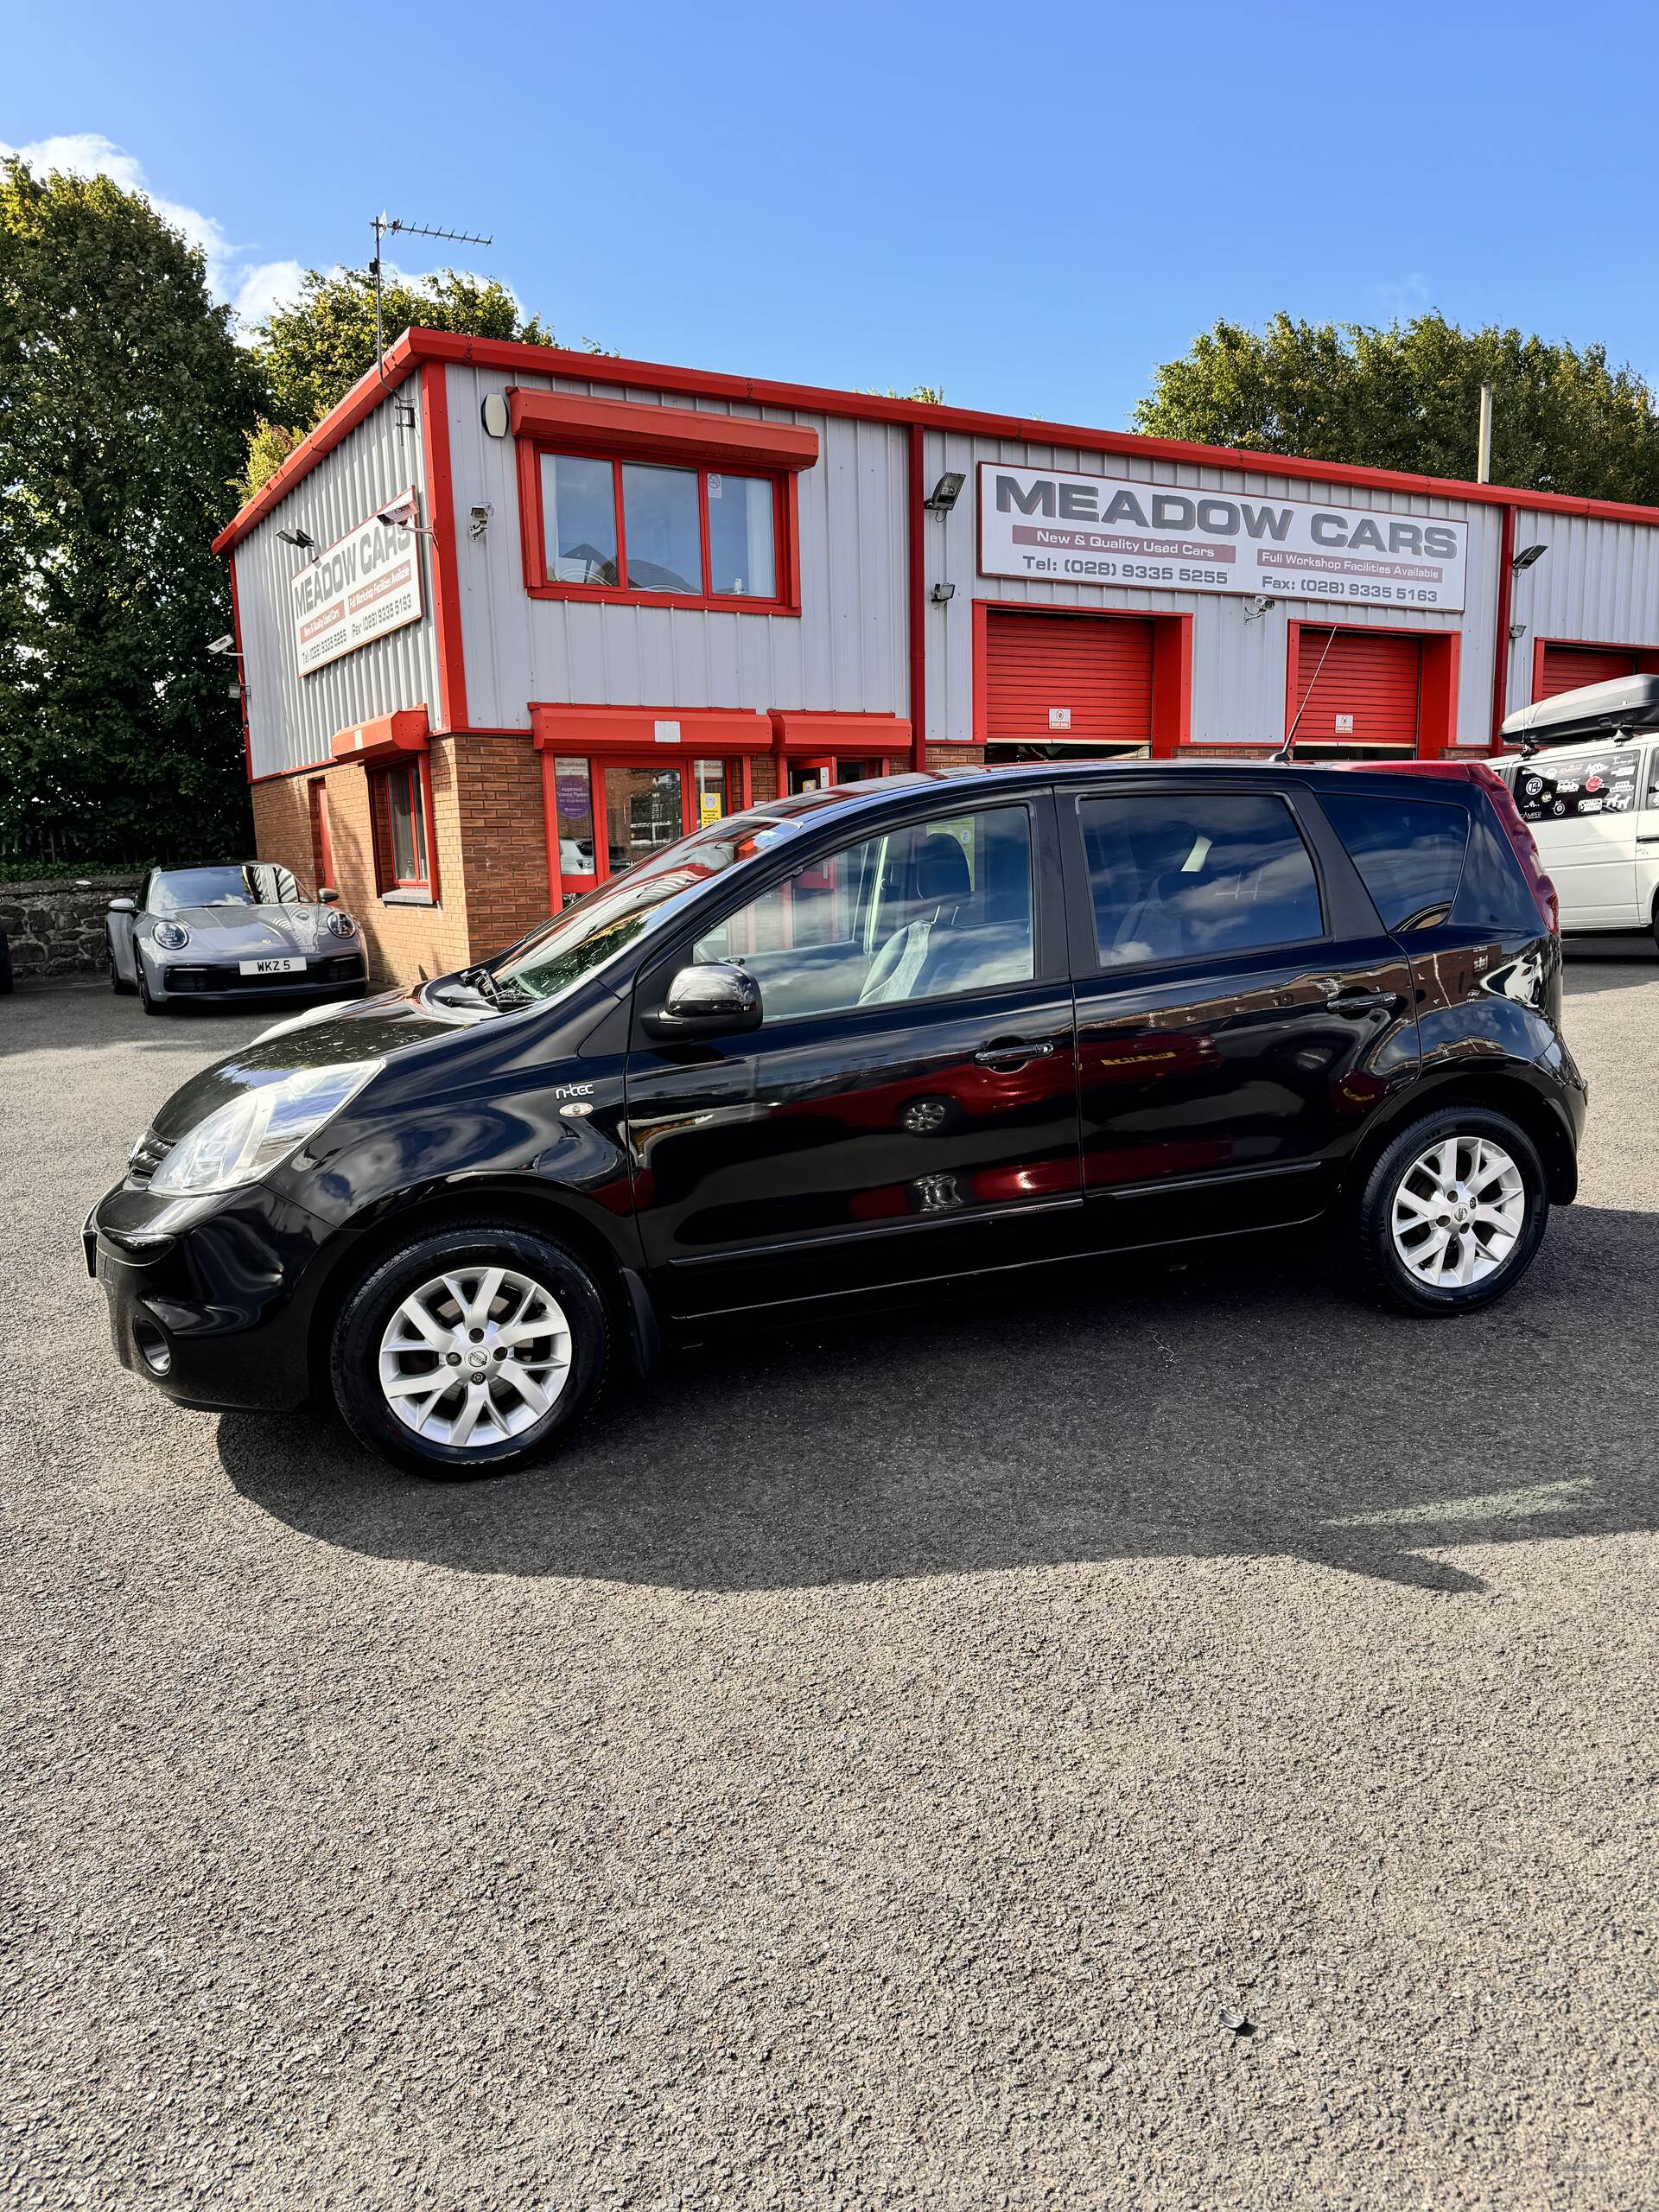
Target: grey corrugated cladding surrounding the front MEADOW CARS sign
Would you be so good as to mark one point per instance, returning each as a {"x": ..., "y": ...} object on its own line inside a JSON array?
[{"x": 1238, "y": 658}]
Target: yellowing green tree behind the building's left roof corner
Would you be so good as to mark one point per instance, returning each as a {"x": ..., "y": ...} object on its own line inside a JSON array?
[{"x": 313, "y": 353}]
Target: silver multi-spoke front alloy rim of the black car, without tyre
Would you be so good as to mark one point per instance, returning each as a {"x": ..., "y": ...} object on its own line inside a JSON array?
[{"x": 474, "y": 1357}]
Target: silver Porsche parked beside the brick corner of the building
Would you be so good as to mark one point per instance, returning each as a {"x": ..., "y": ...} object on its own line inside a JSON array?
[{"x": 231, "y": 932}]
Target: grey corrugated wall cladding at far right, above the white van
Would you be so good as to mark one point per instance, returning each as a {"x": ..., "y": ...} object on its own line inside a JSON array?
[{"x": 1596, "y": 581}]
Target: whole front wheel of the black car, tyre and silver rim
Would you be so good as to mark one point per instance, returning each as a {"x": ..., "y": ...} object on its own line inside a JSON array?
[{"x": 470, "y": 1350}]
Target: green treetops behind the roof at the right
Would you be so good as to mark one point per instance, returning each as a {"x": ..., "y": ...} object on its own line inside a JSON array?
[{"x": 1408, "y": 397}]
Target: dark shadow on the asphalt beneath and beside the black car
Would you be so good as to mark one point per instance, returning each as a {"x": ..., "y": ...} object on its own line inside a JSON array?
[{"x": 1240, "y": 1408}]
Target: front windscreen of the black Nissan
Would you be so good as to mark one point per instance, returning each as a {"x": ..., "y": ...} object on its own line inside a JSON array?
[{"x": 556, "y": 957}]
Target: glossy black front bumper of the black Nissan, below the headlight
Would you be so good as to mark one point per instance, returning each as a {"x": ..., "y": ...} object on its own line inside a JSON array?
[{"x": 211, "y": 1302}]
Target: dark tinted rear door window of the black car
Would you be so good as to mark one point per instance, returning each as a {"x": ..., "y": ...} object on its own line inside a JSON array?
[{"x": 1196, "y": 875}]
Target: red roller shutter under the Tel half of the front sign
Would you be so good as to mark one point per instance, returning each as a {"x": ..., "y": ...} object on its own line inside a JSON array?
[{"x": 1096, "y": 669}]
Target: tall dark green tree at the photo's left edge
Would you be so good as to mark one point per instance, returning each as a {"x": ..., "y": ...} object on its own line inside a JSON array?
[{"x": 123, "y": 415}]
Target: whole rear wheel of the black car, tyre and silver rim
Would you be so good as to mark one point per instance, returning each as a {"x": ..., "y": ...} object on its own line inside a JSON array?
[{"x": 1452, "y": 1213}]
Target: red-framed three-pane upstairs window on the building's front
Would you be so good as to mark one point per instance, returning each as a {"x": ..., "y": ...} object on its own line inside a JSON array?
[{"x": 654, "y": 532}]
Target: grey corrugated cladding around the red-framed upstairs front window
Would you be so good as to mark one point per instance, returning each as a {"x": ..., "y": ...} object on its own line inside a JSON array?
[{"x": 844, "y": 654}]
